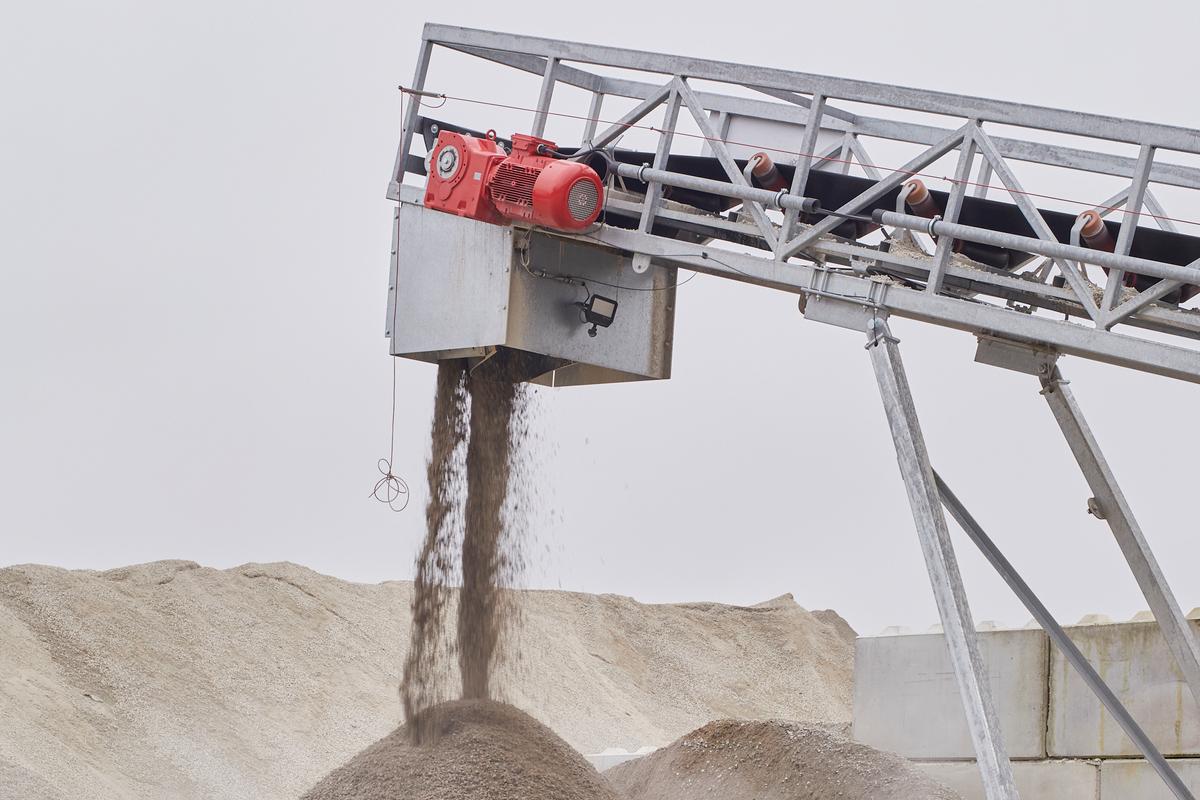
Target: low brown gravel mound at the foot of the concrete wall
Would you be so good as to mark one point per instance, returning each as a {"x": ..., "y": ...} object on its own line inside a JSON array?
[{"x": 736, "y": 760}]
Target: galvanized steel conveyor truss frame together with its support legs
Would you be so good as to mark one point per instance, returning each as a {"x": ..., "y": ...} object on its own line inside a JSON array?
[{"x": 1024, "y": 321}]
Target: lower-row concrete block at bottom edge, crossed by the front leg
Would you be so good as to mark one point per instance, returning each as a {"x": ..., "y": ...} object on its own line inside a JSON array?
[{"x": 1035, "y": 780}]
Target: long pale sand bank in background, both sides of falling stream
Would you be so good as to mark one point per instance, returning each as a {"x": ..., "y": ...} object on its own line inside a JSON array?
[{"x": 183, "y": 682}]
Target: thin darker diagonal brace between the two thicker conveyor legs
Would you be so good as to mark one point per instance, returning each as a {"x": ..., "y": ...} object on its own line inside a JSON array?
[{"x": 1061, "y": 641}]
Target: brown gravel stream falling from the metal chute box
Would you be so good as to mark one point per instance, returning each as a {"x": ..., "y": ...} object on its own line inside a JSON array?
[{"x": 477, "y": 424}]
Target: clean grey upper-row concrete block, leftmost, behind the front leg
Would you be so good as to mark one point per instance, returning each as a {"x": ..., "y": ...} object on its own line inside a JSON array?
[{"x": 907, "y": 699}]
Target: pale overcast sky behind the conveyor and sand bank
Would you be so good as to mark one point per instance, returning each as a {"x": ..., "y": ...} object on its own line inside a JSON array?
[{"x": 194, "y": 251}]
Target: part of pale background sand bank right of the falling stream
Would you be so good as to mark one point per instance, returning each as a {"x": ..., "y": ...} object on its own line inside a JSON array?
[{"x": 644, "y": 676}]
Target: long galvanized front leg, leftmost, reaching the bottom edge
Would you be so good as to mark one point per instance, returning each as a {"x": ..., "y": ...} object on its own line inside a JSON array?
[{"x": 943, "y": 566}]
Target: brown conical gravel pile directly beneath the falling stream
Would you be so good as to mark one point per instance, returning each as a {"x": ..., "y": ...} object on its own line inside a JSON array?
[{"x": 472, "y": 750}]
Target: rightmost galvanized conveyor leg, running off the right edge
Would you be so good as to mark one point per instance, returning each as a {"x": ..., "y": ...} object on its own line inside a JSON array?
[{"x": 1112, "y": 507}]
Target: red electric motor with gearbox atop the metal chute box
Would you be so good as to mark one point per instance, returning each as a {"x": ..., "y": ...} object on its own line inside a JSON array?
[{"x": 475, "y": 178}]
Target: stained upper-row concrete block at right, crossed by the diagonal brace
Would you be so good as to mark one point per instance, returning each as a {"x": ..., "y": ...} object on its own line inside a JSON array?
[{"x": 1133, "y": 660}]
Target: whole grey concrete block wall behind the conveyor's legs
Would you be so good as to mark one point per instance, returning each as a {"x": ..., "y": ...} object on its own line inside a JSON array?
[{"x": 1063, "y": 742}]
